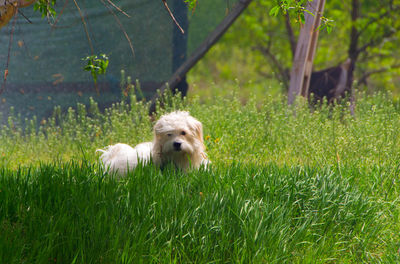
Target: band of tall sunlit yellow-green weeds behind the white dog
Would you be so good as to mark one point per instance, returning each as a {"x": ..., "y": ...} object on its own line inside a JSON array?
[{"x": 260, "y": 131}]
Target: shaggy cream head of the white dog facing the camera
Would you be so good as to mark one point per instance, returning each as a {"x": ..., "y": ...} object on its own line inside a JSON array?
[{"x": 178, "y": 138}]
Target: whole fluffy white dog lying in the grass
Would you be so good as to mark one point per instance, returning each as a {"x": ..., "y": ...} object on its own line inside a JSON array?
[{"x": 178, "y": 139}]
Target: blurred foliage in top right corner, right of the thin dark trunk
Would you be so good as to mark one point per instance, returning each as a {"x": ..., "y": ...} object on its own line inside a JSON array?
[{"x": 377, "y": 27}]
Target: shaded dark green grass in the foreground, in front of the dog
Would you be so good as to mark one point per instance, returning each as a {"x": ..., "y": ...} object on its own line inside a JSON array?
[{"x": 74, "y": 213}]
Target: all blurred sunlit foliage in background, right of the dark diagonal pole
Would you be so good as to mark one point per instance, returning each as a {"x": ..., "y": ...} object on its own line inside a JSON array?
[{"x": 265, "y": 44}]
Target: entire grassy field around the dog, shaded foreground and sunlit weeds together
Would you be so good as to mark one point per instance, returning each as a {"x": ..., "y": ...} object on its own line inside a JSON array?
[{"x": 287, "y": 185}]
